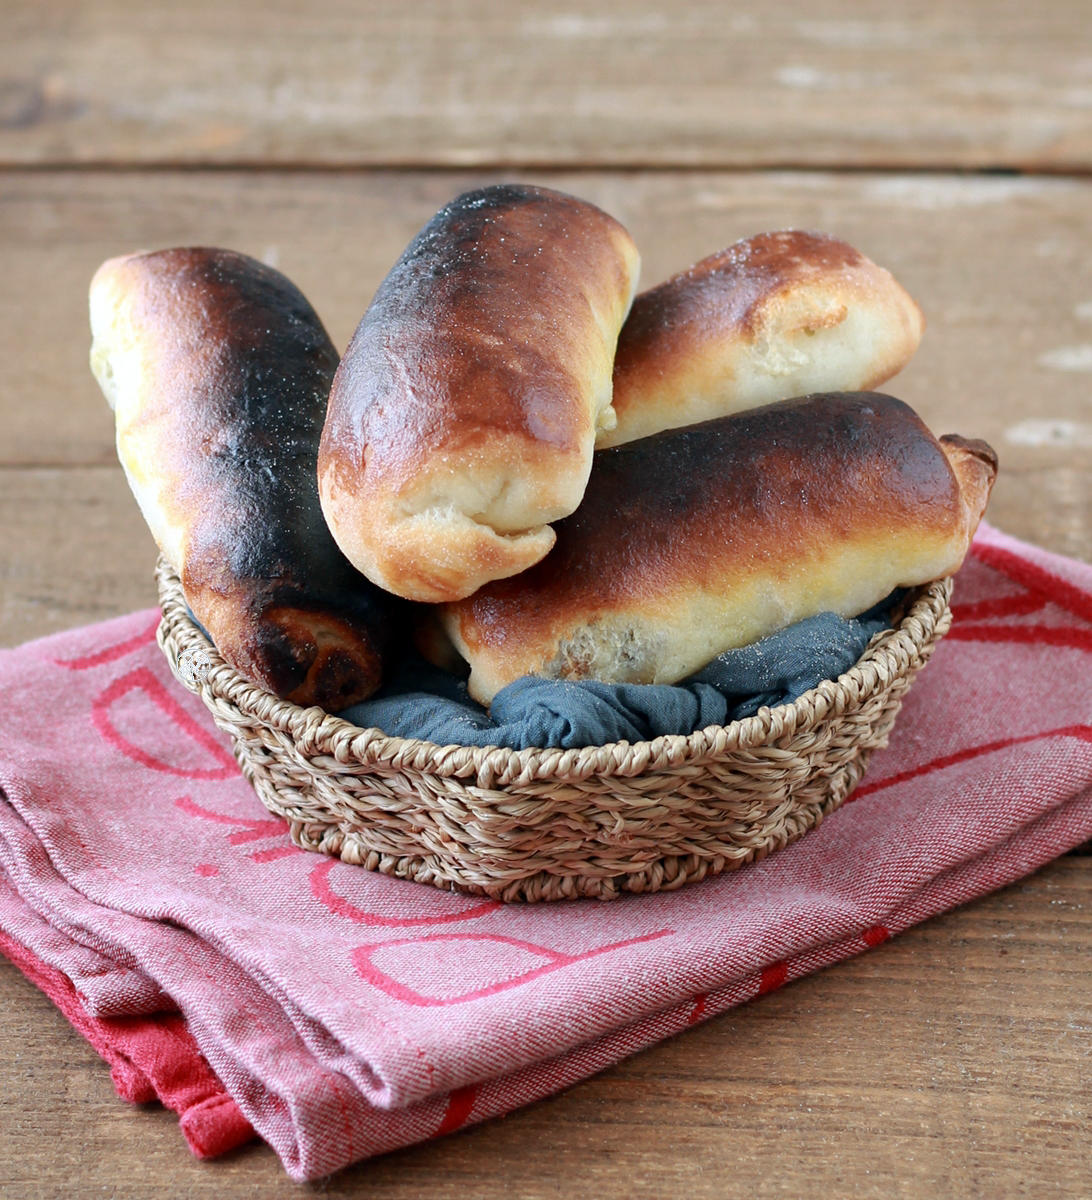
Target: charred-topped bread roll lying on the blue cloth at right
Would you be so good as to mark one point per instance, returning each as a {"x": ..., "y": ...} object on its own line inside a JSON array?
[{"x": 699, "y": 541}]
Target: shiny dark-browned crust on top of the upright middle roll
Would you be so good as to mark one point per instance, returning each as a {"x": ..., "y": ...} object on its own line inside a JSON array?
[{"x": 470, "y": 321}]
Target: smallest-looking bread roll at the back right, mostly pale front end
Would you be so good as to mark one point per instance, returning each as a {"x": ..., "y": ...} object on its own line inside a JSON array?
[{"x": 773, "y": 317}]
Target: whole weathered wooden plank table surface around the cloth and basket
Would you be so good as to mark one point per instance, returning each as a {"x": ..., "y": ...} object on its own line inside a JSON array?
[{"x": 953, "y": 147}]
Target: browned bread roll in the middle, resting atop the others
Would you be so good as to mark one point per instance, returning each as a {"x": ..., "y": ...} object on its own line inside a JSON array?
[{"x": 464, "y": 416}]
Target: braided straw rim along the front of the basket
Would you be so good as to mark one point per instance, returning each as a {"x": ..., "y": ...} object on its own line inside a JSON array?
[{"x": 319, "y": 730}]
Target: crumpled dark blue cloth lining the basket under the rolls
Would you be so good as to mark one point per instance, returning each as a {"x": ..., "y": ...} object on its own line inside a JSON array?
[{"x": 427, "y": 703}]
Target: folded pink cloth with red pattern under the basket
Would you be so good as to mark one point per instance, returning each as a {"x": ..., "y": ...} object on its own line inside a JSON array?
[{"x": 153, "y": 897}]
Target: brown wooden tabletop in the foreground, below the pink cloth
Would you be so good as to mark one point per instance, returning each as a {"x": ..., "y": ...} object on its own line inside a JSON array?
[{"x": 953, "y": 1061}]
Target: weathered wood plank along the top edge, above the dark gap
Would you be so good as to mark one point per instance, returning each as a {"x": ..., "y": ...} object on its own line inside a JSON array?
[{"x": 987, "y": 83}]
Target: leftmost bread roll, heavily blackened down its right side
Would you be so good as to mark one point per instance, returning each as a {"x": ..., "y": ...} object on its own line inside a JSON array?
[{"x": 218, "y": 370}]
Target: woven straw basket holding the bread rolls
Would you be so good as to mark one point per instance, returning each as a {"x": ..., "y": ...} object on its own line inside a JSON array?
[{"x": 550, "y": 825}]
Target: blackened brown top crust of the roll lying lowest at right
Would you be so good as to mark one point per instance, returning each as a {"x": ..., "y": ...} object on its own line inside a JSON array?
[{"x": 829, "y": 464}]
